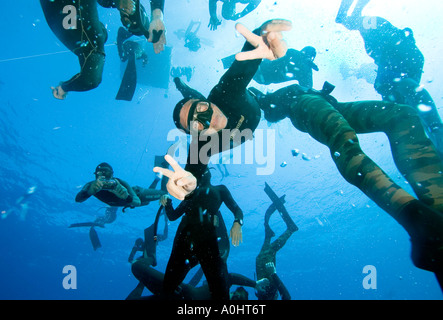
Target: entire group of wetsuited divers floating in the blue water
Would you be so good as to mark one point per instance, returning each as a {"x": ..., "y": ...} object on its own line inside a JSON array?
[{"x": 416, "y": 140}]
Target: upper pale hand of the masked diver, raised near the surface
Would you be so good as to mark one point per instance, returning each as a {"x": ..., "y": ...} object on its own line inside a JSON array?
[{"x": 270, "y": 45}]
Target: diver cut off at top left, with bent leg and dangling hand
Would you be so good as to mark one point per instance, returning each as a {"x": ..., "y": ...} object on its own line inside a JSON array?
[{"x": 87, "y": 39}]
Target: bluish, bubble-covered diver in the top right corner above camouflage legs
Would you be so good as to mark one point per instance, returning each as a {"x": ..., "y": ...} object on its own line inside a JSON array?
[{"x": 400, "y": 64}]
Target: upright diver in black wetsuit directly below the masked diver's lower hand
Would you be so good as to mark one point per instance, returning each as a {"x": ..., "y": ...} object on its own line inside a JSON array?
[{"x": 197, "y": 238}]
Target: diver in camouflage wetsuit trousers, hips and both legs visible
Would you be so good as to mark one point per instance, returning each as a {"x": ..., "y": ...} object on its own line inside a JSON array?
[{"x": 336, "y": 125}]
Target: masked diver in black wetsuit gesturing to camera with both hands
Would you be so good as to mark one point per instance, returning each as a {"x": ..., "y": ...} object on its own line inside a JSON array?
[{"x": 229, "y": 106}]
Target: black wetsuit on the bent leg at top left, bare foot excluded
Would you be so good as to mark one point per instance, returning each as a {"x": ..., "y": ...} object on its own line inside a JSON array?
[{"x": 87, "y": 41}]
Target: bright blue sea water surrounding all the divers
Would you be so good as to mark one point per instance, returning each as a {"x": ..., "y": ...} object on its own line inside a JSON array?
[{"x": 55, "y": 146}]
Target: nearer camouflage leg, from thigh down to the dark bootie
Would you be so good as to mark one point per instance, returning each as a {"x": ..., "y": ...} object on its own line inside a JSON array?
[{"x": 313, "y": 114}]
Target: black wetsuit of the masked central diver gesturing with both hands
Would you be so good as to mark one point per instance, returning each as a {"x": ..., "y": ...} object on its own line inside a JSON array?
[{"x": 237, "y": 104}]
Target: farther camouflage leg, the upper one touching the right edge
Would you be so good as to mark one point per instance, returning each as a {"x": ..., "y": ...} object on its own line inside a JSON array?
[{"x": 413, "y": 153}]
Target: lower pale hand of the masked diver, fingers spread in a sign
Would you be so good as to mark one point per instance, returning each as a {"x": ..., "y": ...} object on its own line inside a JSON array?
[{"x": 181, "y": 182}]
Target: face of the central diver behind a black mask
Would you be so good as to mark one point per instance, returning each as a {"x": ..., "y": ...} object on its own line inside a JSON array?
[{"x": 217, "y": 122}]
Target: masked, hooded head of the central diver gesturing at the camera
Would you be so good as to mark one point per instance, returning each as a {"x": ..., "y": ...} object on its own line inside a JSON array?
[{"x": 199, "y": 115}]
